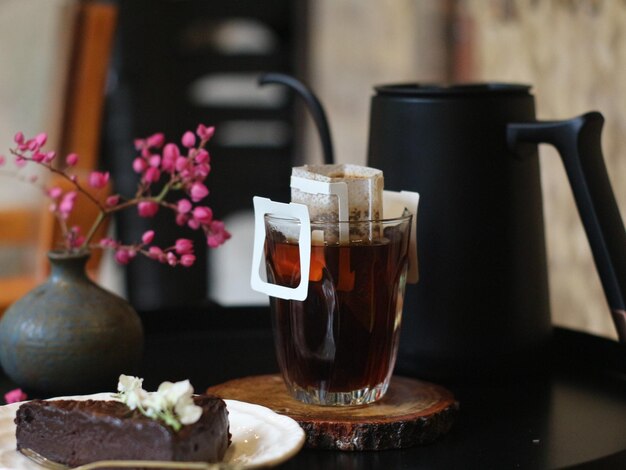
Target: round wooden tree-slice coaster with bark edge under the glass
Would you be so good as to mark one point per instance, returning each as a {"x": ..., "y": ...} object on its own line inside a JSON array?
[{"x": 412, "y": 412}]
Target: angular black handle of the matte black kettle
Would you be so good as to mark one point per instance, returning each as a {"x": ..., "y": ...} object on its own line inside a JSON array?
[{"x": 578, "y": 143}]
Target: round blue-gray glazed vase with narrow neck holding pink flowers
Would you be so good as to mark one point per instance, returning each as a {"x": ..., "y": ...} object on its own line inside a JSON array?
[{"x": 68, "y": 335}]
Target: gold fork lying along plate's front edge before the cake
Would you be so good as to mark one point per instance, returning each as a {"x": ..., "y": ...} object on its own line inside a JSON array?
[{"x": 51, "y": 465}]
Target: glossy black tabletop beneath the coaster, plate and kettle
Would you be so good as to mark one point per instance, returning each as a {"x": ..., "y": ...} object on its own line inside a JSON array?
[{"x": 571, "y": 415}]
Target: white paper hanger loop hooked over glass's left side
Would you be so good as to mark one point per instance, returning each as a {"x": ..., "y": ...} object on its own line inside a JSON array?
[{"x": 264, "y": 206}]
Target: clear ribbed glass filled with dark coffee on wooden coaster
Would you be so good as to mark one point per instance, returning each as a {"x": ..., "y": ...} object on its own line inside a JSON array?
[{"x": 338, "y": 346}]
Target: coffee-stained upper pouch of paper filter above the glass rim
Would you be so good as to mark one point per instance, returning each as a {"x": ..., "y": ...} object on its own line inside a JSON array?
[{"x": 364, "y": 187}]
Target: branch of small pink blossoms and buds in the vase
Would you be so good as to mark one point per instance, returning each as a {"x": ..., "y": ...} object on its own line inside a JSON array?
[{"x": 157, "y": 162}]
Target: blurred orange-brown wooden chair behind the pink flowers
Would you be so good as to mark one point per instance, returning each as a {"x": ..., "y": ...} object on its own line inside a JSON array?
[{"x": 27, "y": 234}]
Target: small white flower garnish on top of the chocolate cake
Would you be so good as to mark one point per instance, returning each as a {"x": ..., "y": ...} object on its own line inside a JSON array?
[{"x": 172, "y": 402}]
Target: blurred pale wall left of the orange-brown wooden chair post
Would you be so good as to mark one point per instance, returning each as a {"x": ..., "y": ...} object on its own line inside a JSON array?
[{"x": 31, "y": 81}]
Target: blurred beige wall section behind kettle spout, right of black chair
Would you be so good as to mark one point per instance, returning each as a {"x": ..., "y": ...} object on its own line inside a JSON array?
[{"x": 356, "y": 44}]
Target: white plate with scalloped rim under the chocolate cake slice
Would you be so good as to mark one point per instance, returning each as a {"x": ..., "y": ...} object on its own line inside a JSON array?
[{"x": 260, "y": 437}]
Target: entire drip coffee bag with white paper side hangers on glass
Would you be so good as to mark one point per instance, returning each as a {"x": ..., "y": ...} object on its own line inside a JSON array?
[{"x": 324, "y": 199}]
